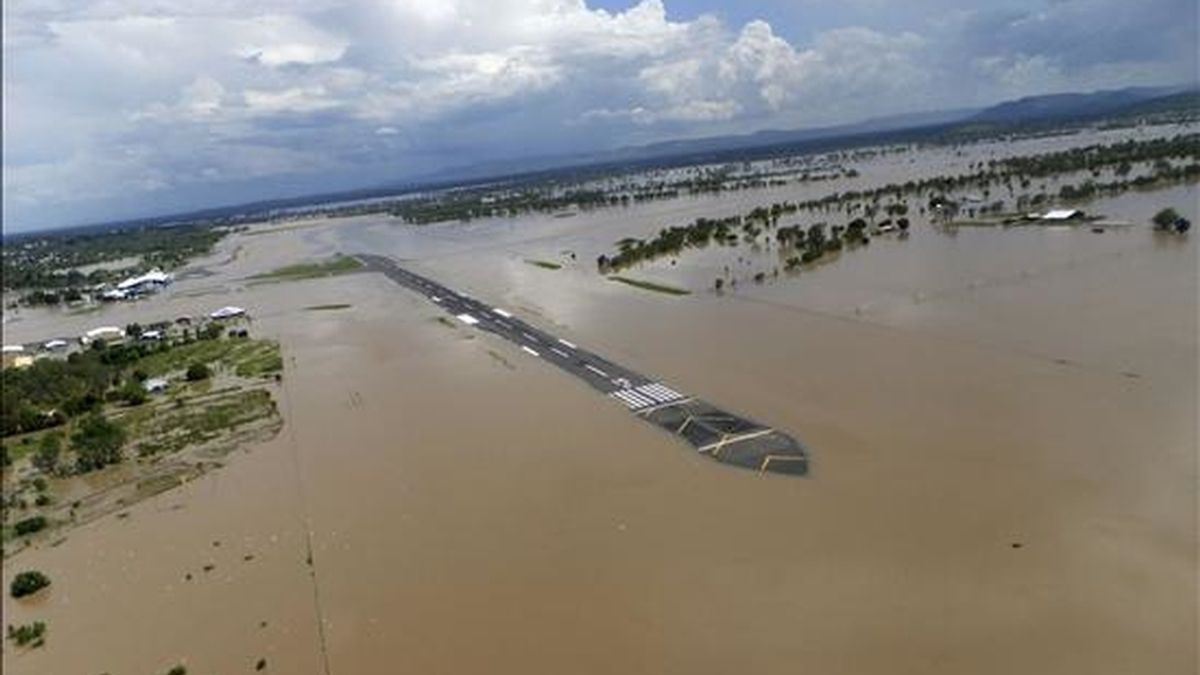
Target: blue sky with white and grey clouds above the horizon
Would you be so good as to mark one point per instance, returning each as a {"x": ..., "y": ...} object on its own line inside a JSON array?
[{"x": 119, "y": 109}]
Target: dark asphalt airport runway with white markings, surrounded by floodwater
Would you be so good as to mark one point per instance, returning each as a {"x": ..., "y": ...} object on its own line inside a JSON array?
[{"x": 715, "y": 433}]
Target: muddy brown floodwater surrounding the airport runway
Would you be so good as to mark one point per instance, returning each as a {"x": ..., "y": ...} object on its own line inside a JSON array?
[{"x": 1003, "y": 425}]
